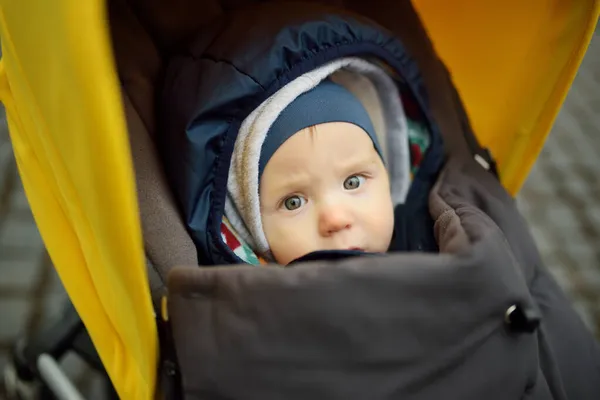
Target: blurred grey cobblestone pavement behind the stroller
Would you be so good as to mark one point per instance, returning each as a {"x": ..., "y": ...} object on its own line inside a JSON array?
[{"x": 561, "y": 201}]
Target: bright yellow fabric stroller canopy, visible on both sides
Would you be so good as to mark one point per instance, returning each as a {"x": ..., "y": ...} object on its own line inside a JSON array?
[{"x": 512, "y": 61}]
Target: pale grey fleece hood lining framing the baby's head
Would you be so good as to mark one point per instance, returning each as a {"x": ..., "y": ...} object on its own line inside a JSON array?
[{"x": 243, "y": 207}]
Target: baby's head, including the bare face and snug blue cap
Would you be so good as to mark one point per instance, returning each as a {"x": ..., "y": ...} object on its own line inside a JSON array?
[{"x": 323, "y": 184}]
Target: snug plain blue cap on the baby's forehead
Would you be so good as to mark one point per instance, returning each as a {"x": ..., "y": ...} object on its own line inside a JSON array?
[{"x": 327, "y": 102}]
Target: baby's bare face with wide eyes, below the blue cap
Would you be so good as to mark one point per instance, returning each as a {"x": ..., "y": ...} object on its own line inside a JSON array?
[{"x": 326, "y": 188}]
